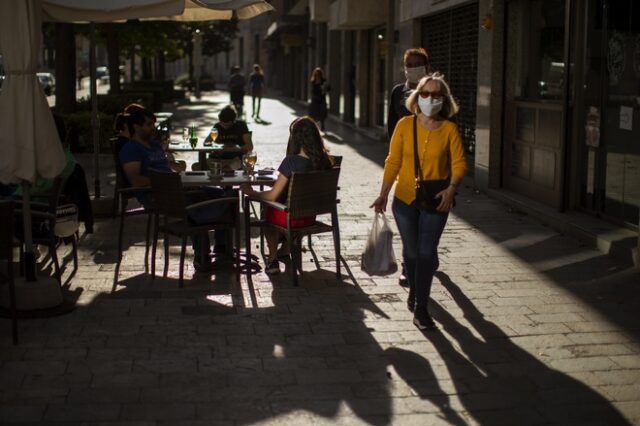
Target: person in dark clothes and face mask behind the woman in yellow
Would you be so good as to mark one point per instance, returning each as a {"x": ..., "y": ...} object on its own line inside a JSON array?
[{"x": 416, "y": 66}]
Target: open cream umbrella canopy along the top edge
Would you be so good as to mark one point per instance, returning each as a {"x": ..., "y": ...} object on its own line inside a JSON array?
[{"x": 171, "y": 10}]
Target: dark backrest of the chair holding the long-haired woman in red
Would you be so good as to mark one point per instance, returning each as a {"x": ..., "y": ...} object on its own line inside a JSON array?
[{"x": 313, "y": 193}]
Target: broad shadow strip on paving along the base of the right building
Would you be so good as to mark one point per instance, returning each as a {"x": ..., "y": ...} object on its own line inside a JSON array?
[{"x": 602, "y": 281}]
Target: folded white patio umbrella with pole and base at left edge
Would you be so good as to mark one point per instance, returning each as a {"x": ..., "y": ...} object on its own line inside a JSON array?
[{"x": 28, "y": 138}]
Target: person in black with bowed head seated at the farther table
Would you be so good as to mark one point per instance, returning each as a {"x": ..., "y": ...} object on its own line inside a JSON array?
[{"x": 233, "y": 135}]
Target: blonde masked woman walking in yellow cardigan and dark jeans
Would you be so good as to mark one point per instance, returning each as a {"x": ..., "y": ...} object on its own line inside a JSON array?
[{"x": 441, "y": 156}]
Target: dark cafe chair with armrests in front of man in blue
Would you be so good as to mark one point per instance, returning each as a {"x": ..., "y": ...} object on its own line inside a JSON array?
[{"x": 170, "y": 201}]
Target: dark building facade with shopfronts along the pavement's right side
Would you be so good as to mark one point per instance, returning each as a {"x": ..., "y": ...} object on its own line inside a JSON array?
[{"x": 549, "y": 89}]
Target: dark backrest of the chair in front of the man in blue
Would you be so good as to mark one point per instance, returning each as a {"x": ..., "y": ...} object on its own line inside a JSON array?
[{"x": 167, "y": 192}]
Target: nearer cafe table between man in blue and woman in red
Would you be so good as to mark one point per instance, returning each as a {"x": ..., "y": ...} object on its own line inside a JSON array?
[{"x": 204, "y": 178}]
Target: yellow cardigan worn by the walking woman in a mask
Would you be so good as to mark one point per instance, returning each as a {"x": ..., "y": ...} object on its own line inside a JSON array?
[{"x": 440, "y": 152}]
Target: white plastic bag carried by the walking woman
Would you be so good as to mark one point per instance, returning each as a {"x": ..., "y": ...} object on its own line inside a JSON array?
[{"x": 378, "y": 257}]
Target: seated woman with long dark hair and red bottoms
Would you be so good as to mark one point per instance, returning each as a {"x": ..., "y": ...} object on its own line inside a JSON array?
[{"x": 305, "y": 152}]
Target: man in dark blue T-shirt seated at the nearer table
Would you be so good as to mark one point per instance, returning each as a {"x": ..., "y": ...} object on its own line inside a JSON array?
[{"x": 141, "y": 153}]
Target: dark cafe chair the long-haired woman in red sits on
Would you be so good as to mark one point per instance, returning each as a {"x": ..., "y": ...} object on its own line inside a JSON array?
[{"x": 310, "y": 194}]
